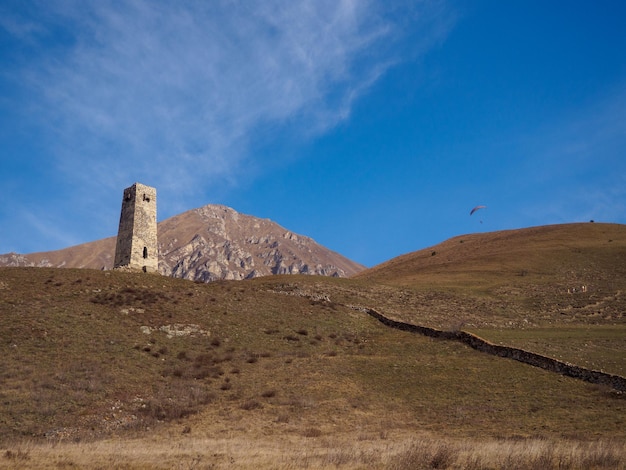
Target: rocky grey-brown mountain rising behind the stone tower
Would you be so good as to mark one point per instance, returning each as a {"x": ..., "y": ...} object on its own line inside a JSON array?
[{"x": 207, "y": 244}]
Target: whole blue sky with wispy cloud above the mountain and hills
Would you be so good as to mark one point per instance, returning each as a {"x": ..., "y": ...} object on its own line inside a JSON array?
[{"x": 371, "y": 126}]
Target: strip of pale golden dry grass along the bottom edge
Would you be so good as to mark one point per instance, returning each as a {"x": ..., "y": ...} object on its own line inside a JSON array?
[{"x": 347, "y": 451}]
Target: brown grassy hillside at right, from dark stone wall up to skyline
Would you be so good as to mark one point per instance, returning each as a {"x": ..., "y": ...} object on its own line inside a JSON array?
[{"x": 557, "y": 290}]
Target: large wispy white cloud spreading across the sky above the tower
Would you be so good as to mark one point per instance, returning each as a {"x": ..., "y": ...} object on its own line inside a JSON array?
[{"x": 177, "y": 94}]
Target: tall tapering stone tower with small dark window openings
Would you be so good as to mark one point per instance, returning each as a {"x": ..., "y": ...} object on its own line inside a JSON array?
[{"x": 137, "y": 247}]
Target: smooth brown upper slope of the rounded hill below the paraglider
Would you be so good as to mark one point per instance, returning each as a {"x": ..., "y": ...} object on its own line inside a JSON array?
[{"x": 568, "y": 253}]
